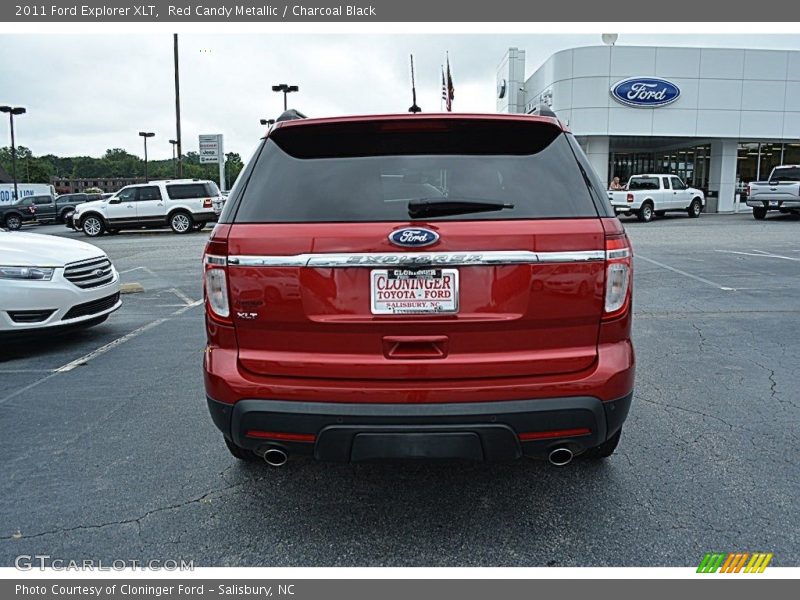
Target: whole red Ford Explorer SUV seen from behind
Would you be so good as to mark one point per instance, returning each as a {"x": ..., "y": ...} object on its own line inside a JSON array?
[{"x": 414, "y": 286}]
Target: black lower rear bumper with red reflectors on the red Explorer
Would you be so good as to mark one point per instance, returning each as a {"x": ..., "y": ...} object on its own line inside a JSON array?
[{"x": 479, "y": 430}]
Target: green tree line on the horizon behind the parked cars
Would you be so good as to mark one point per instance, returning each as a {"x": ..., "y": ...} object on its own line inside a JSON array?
[{"x": 116, "y": 162}]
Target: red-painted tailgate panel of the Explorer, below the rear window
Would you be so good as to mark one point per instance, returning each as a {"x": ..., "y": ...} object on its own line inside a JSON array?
[{"x": 512, "y": 319}]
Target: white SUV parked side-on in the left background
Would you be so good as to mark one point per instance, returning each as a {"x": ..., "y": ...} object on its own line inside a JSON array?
[{"x": 183, "y": 204}]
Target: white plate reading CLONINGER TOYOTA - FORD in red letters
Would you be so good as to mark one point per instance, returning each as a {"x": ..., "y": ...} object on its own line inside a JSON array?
[{"x": 413, "y": 291}]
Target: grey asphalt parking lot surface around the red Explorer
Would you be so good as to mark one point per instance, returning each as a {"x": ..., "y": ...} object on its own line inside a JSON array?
[{"x": 109, "y": 452}]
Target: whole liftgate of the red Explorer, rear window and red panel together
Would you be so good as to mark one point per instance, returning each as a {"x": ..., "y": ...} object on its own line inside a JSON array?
[{"x": 521, "y": 277}]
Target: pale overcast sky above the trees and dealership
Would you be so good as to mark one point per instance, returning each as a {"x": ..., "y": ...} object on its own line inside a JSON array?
[{"x": 87, "y": 93}]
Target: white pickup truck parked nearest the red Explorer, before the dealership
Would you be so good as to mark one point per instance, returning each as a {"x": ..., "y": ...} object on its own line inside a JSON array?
[{"x": 649, "y": 195}]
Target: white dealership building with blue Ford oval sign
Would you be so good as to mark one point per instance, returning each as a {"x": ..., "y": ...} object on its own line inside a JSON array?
[{"x": 718, "y": 118}]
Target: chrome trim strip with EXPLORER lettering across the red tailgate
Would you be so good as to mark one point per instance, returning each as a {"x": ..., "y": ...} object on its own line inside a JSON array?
[{"x": 384, "y": 259}]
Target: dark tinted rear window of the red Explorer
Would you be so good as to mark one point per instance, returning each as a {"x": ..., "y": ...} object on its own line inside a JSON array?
[{"x": 370, "y": 171}]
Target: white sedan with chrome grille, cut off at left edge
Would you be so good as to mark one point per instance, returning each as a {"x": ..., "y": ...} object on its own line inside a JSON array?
[{"x": 49, "y": 283}]
